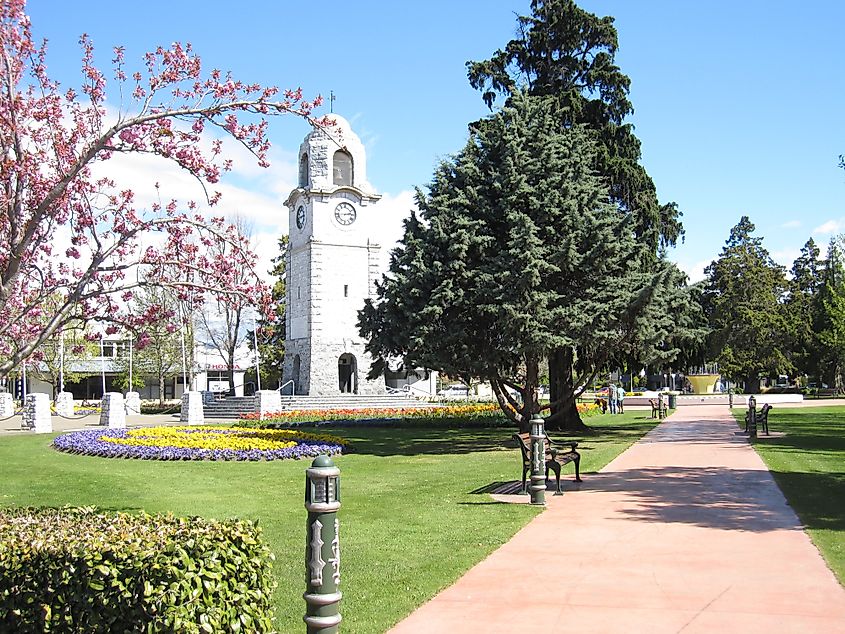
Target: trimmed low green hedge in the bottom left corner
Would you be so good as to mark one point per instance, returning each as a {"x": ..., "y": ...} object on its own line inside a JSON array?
[{"x": 81, "y": 570}]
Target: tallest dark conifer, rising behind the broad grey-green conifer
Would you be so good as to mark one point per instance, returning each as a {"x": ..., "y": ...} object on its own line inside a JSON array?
[{"x": 568, "y": 54}]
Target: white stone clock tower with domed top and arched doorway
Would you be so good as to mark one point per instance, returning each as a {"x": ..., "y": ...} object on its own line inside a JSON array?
[{"x": 332, "y": 265}]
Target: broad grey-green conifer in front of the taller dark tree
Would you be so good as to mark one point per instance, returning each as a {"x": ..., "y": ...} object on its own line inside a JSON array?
[{"x": 517, "y": 253}]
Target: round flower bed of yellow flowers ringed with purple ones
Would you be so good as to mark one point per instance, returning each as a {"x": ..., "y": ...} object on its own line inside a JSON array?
[{"x": 199, "y": 443}]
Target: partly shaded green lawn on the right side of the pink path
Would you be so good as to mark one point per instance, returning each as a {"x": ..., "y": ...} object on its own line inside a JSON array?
[{"x": 808, "y": 463}]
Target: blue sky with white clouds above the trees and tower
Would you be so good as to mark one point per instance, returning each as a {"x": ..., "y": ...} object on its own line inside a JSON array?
[{"x": 740, "y": 106}]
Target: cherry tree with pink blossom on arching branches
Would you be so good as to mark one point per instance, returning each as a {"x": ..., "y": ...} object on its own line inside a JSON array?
[{"x": 67, "y": 232}]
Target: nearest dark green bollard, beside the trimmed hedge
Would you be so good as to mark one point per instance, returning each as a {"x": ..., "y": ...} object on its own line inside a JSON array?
[{"x": 322, "y": 546}]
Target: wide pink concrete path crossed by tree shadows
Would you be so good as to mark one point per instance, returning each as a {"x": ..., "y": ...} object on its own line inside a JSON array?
[{"x": 684, "y": 532}]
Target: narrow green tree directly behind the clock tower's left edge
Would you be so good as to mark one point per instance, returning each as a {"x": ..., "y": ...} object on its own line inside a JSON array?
[{"x": 271, "y": 329}]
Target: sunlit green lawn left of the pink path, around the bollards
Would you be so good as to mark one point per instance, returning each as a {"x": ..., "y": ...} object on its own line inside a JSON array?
[{"x": 410, "y": 522}]
